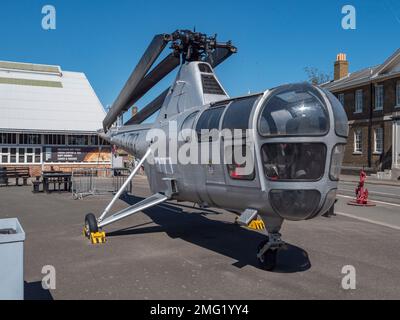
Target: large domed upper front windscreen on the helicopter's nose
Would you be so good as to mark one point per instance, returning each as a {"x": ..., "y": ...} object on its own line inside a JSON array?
[{"x": 292, "y": 111}]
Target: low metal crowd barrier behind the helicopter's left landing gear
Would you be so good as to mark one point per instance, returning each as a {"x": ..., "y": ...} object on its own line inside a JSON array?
[{"x": 88, "y": 182}]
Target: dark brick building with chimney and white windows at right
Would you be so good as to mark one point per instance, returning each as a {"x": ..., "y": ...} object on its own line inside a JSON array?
[{"x": 371, "y": 98}]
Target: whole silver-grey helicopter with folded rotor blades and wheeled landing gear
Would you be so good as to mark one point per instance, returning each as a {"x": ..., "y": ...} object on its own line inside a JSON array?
[{"x": 274, "y": 155}]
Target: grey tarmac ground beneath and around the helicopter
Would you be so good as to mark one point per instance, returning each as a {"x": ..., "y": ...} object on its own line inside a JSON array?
[{"x": 174, "y": 252}]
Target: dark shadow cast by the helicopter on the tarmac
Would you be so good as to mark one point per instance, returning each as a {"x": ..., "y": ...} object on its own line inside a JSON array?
[{"x": 225, "y": 238}]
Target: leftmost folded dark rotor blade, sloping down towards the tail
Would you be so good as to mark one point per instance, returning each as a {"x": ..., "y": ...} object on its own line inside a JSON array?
[{"x": 150, "y": 56}]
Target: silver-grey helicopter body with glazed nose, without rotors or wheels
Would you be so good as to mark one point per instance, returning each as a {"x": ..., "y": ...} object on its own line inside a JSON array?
[{"x": 299, "y": 132}]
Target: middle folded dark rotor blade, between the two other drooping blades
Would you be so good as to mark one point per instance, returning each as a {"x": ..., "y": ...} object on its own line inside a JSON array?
[{"x": 156, "y": 75}]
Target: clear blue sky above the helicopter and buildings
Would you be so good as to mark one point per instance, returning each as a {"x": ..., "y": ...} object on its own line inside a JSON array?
[{"x": 276, "y": 39}]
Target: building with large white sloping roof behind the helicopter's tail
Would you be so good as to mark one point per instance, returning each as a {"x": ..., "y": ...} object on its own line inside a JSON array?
[{"x": 49, "y": 119}]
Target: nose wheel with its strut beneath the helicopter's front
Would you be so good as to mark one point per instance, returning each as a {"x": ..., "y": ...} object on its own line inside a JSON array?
[{"x": 268, "y": 250}]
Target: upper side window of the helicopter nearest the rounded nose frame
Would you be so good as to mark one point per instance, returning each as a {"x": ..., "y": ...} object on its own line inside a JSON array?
[{"x": 238, "y": 114}]
